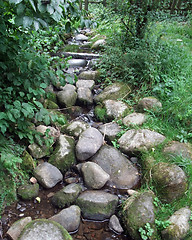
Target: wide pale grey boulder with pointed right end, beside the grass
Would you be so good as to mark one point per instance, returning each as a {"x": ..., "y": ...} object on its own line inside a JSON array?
[{"x": 139, "y": 140}]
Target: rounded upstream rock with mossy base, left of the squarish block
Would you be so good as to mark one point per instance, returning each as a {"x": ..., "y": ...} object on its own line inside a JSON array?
[{"x": 68, "y": 96}]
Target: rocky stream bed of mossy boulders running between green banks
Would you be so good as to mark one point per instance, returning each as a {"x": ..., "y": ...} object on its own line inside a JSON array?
[{"x": 80, "y": 183}]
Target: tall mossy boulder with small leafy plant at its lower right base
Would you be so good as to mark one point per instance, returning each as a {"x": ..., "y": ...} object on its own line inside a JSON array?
[{"x": 139, "y": 210}]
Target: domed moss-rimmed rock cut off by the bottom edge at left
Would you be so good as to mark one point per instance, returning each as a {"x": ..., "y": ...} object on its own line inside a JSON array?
[{"x": 42, "y": 229}]
